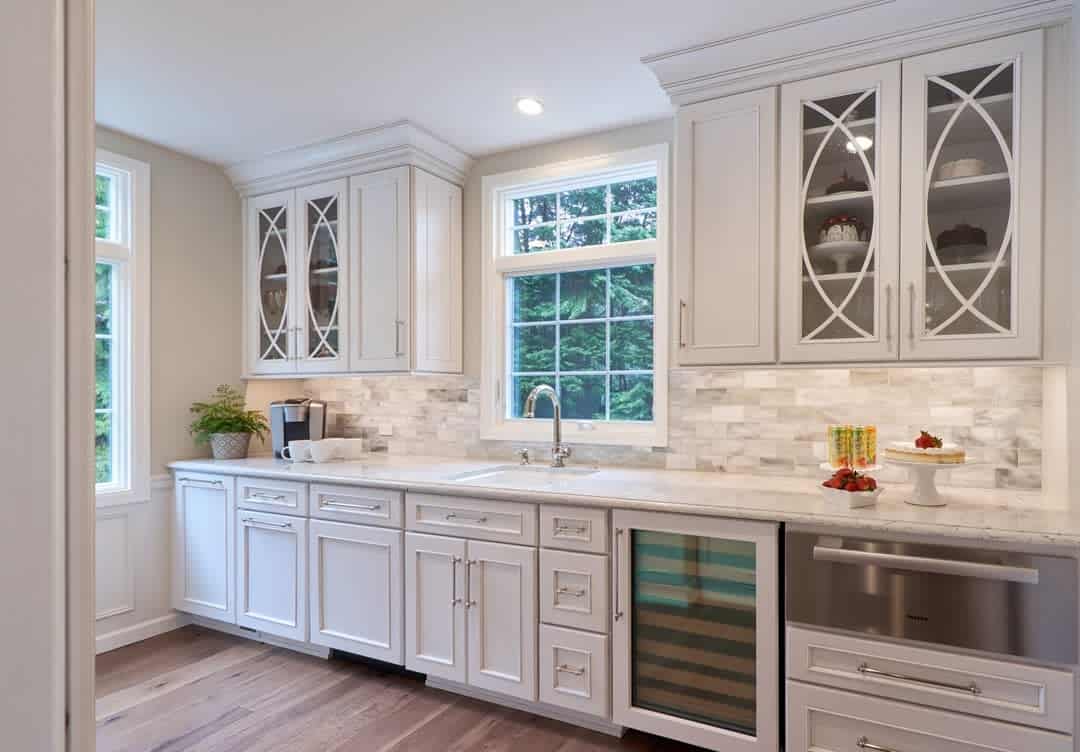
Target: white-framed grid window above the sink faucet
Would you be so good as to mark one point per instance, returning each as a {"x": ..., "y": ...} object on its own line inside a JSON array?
[{"x": 576, "y": 297}]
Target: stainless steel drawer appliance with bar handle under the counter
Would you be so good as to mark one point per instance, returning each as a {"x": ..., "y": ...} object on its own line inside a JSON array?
[{"x": 981, "y": 599}]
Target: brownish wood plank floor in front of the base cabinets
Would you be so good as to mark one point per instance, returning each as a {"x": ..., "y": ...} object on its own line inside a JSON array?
[{"x": 196, "y": 690}]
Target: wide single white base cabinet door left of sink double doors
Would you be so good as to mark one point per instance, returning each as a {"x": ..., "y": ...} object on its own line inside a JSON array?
[{"x": 356, "y": 589}]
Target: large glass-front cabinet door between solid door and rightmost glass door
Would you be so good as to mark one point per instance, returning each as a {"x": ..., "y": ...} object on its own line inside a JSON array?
[{"x": 840, "y": 210}]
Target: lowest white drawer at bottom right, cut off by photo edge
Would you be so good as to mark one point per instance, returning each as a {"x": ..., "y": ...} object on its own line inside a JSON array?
[{"x": 833, "y": 721}]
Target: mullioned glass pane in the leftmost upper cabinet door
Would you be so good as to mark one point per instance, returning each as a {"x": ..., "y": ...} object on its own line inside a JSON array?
[{"x": 274, "y": 284}]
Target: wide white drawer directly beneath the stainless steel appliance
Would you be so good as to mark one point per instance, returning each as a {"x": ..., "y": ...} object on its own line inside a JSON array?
[{"x": 995, "y": 689}]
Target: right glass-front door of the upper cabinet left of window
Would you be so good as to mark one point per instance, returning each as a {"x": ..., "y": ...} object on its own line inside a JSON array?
[{"x": 321, "y": 261}]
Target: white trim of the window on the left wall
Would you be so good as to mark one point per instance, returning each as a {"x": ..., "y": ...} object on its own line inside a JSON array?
[{"x": 131, "y": 323}]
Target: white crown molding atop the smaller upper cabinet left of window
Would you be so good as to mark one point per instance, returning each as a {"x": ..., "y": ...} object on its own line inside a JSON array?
[{"x": 389, "y": 146}]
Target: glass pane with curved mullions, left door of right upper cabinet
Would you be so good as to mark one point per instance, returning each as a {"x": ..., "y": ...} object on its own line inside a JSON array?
[{"x": 840, "y": 206}]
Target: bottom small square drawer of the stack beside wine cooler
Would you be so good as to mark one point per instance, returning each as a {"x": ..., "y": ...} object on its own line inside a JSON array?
[{"x": 574, "y": 670}]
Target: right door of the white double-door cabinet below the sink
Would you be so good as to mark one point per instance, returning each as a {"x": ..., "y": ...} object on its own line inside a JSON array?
[{"x": 502, "y": 599}]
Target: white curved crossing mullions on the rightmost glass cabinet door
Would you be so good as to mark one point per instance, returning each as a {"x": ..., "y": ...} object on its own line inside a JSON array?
[{"x": 968, "y": 303}]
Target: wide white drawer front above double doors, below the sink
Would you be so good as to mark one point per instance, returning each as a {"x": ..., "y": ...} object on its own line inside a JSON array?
[{"x": 506, "y": 522}]
